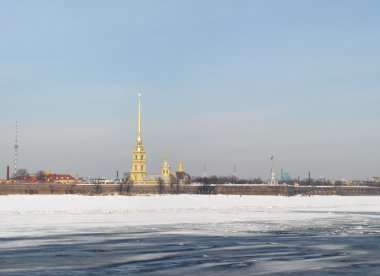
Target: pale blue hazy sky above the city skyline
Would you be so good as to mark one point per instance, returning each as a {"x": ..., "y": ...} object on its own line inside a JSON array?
[{"x": 224, "y": 83}]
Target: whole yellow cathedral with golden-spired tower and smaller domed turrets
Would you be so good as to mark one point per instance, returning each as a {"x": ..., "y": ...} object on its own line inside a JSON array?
[{"x": 138, "y": 172}]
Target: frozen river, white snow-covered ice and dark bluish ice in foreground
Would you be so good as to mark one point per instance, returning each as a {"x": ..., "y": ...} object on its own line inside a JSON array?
[{"x": 189, "y": 235}]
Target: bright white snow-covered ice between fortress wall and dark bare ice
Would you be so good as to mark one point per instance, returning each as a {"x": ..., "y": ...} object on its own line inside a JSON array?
[{"x": 22, "y": 214}]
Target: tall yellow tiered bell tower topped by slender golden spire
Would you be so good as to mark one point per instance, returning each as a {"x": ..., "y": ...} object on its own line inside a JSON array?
[{"x": 138, "y": 171}]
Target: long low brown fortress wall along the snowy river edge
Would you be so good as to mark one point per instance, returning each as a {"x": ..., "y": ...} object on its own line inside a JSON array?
[{"x": 140, "y": 189}]
